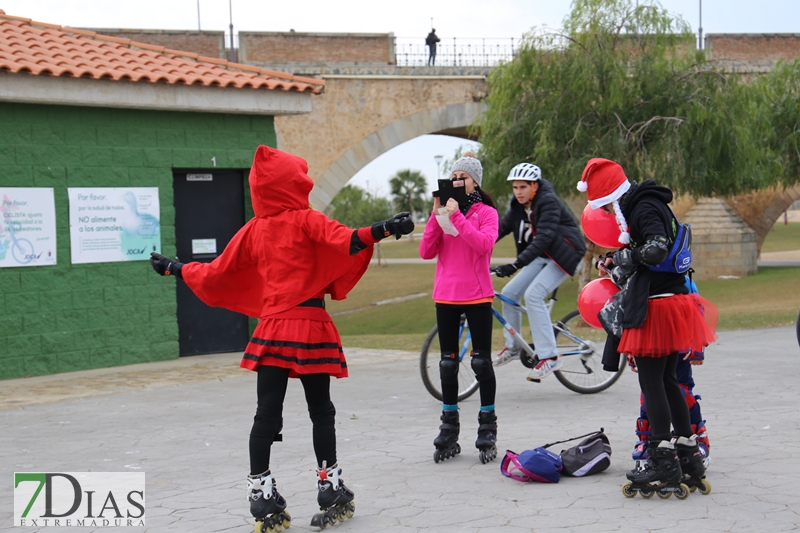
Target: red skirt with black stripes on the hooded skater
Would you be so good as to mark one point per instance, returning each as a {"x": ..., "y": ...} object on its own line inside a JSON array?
[{"x": 302, "y": 339}]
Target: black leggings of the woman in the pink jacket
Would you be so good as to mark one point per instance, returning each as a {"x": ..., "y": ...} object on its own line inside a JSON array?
[{"x": 479, "y": 317}]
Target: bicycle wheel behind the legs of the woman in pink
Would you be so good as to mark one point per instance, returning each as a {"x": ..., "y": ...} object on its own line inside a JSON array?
[{"x": 429, "y": 364}]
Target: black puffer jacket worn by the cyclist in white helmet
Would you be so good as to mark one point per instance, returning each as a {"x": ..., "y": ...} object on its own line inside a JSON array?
[{"x": 554, "y": 230}]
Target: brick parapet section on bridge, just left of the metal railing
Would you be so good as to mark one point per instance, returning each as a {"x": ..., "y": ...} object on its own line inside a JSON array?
[{"x": 294, "y": 47}]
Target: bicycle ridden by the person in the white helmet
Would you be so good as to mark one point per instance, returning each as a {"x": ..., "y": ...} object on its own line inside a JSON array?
[{"x": 582, "y": 371}]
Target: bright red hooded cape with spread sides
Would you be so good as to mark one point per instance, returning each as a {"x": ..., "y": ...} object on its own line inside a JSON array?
[{"x": 285, "y": 255}]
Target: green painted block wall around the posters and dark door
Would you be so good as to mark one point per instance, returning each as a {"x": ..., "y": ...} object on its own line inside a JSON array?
[{"x": 68, "y": 317}]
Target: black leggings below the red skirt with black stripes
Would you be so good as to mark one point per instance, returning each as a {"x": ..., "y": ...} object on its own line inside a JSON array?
[{"x": 268, "y": 421}]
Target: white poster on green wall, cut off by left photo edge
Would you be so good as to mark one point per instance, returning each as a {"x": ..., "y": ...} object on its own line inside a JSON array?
[{"x": 27, "y": 227}]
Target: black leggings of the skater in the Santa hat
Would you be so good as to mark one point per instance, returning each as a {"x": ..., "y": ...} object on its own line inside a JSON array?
[{"x": 663, "y": 396}]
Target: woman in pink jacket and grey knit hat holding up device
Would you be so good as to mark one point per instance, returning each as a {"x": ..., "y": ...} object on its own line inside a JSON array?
[{"x": 463, "y": 242}]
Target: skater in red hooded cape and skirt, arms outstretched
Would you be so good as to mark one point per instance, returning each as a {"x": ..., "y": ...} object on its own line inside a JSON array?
[{"x": 278, "y": 268}]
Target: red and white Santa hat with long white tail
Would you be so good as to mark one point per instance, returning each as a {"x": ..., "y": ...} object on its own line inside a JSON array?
[{"x": 604, "y": 182}]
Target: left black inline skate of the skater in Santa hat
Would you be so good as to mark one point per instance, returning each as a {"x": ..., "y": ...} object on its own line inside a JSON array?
[{"x": 661, "y": 475}]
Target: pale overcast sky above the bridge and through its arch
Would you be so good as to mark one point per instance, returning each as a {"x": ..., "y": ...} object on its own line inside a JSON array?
[{"x": 408, "y": 19}]
